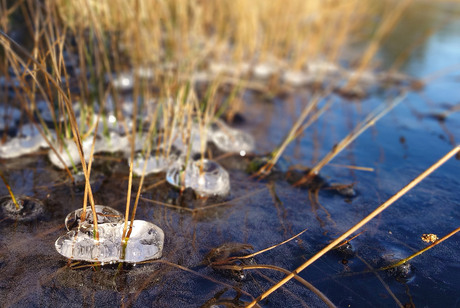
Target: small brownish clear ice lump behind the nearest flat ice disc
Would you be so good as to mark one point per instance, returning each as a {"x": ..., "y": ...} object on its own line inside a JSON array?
[{"x": 105, "y": 215}]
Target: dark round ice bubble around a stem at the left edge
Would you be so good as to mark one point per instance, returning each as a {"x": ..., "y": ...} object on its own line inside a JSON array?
[{"x": 29, "y": 208}]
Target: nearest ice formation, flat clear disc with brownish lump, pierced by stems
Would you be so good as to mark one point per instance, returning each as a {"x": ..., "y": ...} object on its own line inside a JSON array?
[{"x": 145, "y": 241}]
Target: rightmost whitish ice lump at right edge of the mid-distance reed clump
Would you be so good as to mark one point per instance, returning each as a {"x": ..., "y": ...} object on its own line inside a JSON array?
[{"x": 230, "y": 140}]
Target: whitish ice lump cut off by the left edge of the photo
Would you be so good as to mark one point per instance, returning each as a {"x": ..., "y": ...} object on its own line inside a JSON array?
[{"x": 27, "y": 141}]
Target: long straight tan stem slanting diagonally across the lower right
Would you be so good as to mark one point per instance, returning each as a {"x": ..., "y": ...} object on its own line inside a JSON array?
[{"x": 360, "y": 224}]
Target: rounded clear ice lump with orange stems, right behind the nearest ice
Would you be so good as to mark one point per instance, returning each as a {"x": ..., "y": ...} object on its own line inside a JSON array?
[{"x": 205, "y": 177}]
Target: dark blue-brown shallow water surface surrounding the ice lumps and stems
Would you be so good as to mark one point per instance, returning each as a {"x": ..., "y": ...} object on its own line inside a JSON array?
[{"x": 400, "y": 146}]
